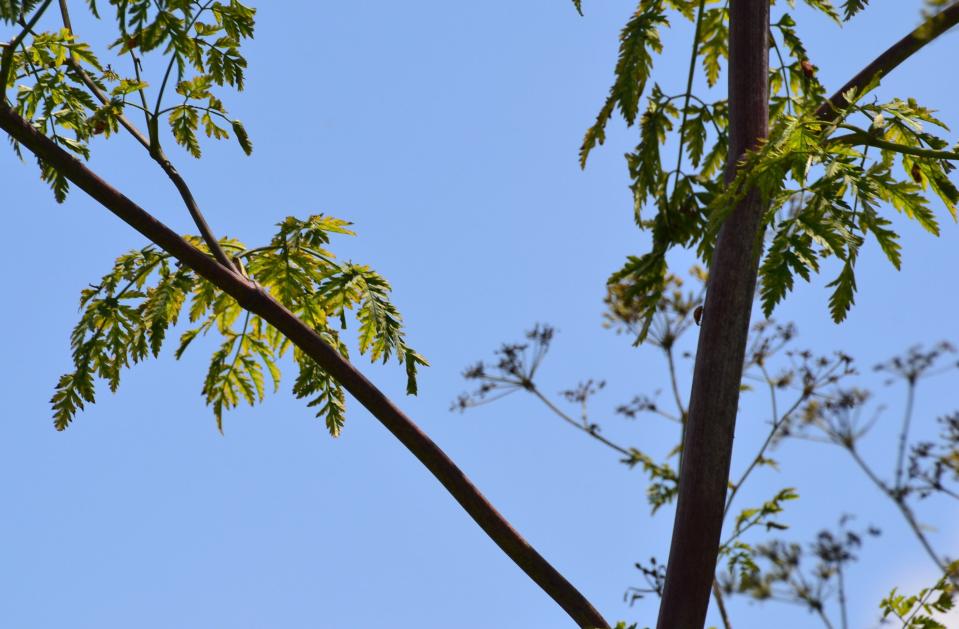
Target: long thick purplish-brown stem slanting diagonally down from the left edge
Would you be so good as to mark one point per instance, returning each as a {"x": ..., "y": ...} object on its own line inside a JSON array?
[{"x": 259, "y": 302}]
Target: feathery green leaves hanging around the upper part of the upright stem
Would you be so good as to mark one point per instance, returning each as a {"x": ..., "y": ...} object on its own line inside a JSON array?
[{"x": 827, "y": 184}]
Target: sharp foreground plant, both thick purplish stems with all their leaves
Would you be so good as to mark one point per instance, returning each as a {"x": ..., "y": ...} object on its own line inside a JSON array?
[{"x": 814, "y": 176}]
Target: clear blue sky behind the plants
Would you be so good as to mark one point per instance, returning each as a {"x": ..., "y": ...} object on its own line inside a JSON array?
[{"x": 448, "y": 133}]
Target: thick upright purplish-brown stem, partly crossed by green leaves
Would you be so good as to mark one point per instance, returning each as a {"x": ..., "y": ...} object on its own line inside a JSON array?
[{"x": 722, "y": 340}]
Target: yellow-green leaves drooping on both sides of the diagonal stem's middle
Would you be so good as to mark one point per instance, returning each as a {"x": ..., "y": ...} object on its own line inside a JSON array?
[{"x": 126, "y": 317}]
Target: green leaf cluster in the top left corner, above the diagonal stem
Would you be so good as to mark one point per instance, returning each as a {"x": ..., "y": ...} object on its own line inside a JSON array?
[{"x": 200, "y": 45}]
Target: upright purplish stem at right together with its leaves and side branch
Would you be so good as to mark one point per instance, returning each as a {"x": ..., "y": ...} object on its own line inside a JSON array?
[{"x": 815, "y": 176}]
